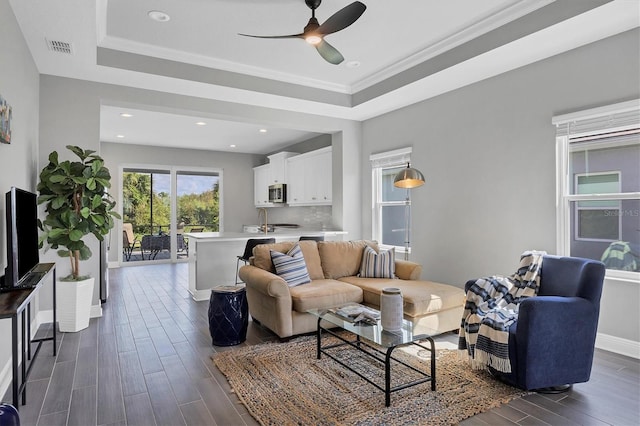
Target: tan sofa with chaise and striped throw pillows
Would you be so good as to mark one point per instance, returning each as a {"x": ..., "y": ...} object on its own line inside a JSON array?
[{"x": 333, "y": 268}]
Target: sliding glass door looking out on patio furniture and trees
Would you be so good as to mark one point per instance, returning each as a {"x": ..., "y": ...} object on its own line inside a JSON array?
[{"x": 159, "y": 206}]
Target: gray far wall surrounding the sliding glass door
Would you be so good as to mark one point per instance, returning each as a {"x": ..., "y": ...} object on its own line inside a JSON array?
[{"x": 237, "y": 175}]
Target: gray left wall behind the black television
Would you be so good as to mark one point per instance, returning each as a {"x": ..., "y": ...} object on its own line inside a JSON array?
[{"x": 18, "y": 161}]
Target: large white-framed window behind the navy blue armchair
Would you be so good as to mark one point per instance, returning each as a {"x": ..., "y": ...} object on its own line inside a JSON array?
[{"x": 598, "y": 153}]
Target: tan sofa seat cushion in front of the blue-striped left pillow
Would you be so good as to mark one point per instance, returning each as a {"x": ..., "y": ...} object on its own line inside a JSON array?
[{"x": 323, "y": 294}]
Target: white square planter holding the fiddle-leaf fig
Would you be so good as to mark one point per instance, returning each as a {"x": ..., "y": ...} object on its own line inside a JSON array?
[{"x": 74, "y": 304}]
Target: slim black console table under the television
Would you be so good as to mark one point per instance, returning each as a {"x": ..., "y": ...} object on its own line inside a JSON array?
[{"x": 17, "y": 303}]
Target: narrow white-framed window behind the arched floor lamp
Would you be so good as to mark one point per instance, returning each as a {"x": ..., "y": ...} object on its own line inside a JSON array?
[{"x": 389, "y": 203}]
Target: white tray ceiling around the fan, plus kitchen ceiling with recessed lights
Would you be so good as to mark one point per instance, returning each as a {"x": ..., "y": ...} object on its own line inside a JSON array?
[{"x": 407, "y": 51}]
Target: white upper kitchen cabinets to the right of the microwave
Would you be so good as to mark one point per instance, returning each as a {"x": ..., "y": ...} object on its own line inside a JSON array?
[{"x": 309, "y": 178}]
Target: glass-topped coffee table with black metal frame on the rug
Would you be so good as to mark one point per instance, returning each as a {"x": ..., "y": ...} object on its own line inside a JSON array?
[{"x": 370, "y": 339}]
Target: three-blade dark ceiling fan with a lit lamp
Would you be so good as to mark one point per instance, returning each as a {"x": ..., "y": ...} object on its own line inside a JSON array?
[{"x": 314, "y": 33}]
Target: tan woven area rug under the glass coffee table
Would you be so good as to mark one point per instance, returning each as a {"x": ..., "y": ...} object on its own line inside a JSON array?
[{"x": 284, "y": 384}]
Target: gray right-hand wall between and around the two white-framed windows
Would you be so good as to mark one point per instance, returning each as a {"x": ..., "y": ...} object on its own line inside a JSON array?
[{"x": 488, "y": 154}]
